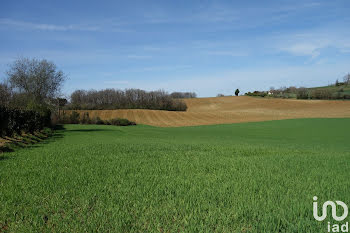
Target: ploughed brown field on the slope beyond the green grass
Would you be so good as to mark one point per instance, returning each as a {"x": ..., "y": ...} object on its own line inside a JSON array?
[{"x": 224, "y": 110}]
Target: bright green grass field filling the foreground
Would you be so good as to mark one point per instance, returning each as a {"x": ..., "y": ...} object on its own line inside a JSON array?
[{"x": 250, "y": 177}]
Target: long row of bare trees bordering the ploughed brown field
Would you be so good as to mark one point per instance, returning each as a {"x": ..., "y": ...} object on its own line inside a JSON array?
[{"x": 126, "y": 99}]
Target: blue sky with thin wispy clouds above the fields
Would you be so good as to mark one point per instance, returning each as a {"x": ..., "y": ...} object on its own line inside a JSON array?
[{"x": 209, "y": 47}]
